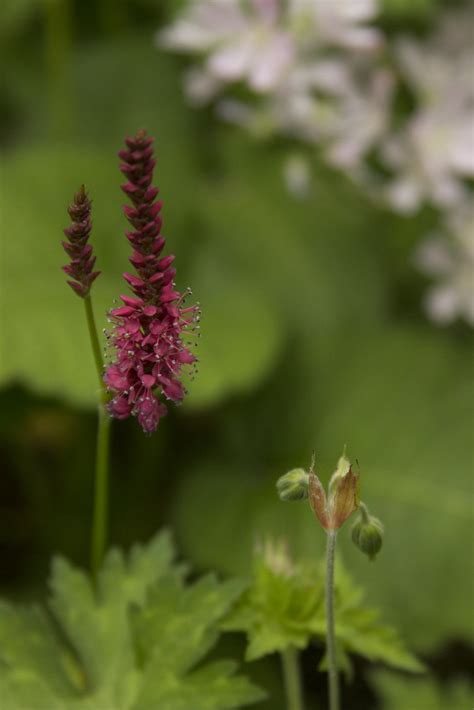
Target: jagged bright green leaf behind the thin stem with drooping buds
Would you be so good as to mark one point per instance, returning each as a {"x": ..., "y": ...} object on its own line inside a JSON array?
[{"x": 284, "y": 607}]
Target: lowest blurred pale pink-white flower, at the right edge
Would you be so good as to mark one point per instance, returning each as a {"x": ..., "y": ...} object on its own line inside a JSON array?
[{"x": 450, "y": 259}]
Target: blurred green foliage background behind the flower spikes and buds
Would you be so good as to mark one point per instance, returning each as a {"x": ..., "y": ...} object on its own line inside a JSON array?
[{"x": 313, "y": 335}]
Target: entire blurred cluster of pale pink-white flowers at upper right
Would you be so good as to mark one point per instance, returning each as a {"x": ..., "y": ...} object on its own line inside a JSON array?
[{"x": 314, "y": 74}]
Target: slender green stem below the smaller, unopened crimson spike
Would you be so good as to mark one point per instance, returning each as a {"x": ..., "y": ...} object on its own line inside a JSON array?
[{"x": 101, "y": 485}]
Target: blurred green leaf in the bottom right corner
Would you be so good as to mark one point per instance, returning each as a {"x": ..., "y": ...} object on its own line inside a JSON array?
[{"x": 398, "y": 692}]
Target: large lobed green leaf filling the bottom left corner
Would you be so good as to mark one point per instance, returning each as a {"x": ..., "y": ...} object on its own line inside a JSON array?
[{"x": 132, "y": 643}]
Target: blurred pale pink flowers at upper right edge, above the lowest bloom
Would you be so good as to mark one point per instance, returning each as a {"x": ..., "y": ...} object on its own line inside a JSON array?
[{"x": 434, "y": 152}]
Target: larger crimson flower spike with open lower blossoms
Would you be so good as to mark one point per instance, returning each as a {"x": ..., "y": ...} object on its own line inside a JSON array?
[{"x": 146, "y": 338}]
